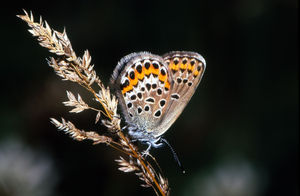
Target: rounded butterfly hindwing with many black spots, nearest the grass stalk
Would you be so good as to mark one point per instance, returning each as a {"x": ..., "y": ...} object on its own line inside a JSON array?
[{"x": 142, "y": 82}]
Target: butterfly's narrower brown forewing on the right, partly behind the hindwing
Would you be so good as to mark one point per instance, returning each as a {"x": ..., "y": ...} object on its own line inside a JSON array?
[{"x": 186, "y": 70}]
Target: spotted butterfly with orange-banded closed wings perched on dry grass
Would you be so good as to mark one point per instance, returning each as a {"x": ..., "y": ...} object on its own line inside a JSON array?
[{"x": 153, "y": 90}]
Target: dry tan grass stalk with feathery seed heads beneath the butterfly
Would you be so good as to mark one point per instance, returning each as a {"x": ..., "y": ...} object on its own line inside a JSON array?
[{"x": 69, "y": 67}]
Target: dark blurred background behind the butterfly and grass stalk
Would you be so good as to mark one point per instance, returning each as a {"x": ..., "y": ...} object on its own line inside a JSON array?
[{"x": 238, "y": 136}]
